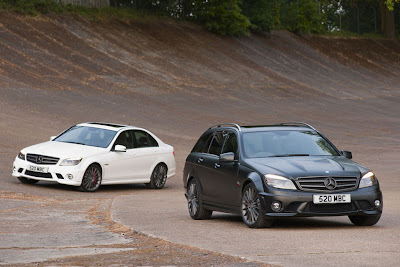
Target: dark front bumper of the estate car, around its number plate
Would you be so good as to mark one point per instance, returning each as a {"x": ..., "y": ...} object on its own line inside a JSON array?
[{"x": 300, "y": 203}]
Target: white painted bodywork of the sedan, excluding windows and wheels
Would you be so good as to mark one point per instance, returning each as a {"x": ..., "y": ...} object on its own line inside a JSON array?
[{"x": 133, "y": 166}]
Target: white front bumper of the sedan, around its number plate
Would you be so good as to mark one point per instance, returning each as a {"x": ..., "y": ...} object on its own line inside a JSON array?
[{"x": 69, "y": 175}]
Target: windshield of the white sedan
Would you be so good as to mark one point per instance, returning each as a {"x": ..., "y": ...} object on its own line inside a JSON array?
[{"x": 89, "y": 136}]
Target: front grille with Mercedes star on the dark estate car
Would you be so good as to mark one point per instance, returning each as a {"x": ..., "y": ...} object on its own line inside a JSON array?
[{"x": 327, "y": 183}]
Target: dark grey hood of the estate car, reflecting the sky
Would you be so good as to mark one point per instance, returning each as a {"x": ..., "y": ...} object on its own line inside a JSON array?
[{"x": 293, "y": 167}]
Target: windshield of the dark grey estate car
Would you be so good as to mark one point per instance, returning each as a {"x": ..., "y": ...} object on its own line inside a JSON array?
[{"x": 286, "y": 143}]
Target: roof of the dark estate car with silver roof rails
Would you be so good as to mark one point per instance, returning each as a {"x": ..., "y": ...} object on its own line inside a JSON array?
[{"x": 273, "y": 127}]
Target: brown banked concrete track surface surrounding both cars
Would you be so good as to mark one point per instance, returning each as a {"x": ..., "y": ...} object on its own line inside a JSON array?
[{"x": 177, "y": 80}]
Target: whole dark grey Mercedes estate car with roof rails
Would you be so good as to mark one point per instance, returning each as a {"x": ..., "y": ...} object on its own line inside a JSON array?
[{"x": 283, "y": 170}]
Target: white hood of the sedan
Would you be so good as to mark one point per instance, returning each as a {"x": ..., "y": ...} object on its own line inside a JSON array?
[{"x": 63, "y": 150}]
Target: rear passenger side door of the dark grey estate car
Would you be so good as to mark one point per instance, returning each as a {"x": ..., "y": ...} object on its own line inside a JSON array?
[{"x": 207, "y": 169}]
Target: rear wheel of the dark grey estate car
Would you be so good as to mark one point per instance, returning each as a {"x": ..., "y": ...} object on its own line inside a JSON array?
[{"x": 195, "y": 199}]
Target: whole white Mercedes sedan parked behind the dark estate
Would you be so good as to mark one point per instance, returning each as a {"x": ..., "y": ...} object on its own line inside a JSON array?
[{"x": 92, "y": 154}]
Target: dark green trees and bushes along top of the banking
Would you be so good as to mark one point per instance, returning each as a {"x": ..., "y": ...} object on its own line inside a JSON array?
[{"x": 238, "y": 17}]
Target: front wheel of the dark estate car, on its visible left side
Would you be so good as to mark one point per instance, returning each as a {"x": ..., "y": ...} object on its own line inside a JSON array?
[{"x": 252, "y": 213}]
